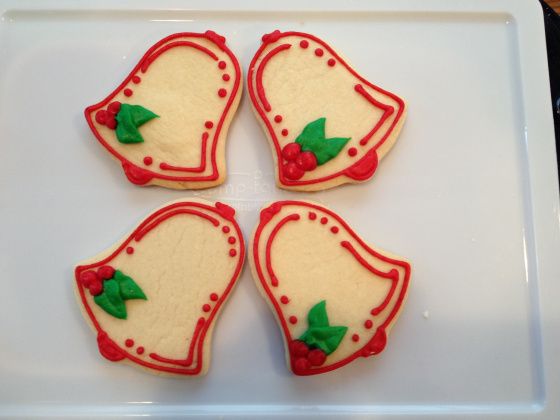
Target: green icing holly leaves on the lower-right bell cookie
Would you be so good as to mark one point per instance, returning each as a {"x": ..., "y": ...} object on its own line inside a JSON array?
[{"x": 320, "y": 334}]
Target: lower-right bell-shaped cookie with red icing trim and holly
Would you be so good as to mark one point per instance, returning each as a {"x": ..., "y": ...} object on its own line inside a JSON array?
[{"x": 334, "y": 296}]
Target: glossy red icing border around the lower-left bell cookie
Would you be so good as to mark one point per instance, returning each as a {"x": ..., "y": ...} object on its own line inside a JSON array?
[{"x": 110, "y": 350}]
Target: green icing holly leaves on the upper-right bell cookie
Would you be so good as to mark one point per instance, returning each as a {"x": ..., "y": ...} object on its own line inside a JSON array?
[{"x": 312, "y": 139}]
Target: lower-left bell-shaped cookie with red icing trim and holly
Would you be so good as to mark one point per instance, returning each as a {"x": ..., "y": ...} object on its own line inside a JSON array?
[{"x": 153, "y": 298}]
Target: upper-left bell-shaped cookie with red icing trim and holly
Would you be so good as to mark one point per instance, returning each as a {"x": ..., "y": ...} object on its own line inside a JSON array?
[{"x": 167, "y": 122}]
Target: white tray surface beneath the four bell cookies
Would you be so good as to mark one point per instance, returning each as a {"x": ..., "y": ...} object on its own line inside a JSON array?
[{"x": 468, "y": 194}]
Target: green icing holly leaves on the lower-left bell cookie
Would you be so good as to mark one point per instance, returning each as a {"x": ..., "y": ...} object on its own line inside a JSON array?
[{"x": 115, "y": 292}]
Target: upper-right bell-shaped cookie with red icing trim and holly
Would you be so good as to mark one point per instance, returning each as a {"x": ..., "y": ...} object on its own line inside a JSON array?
[{"x": 326, "y": 124}]
